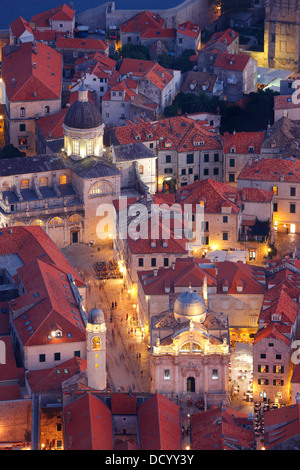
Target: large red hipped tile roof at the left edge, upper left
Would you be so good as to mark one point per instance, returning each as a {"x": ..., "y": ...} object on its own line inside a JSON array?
[{"x": 30, "y": 76}]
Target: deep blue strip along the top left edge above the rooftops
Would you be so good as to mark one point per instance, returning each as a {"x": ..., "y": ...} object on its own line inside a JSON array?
[{"x": 10, "y": 10}]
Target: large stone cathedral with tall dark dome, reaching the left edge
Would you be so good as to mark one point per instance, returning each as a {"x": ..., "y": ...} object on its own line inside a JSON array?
[{"x": 62, "y": 191}]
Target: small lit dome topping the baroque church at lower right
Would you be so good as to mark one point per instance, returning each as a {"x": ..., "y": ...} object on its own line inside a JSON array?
[{"x": 190, "y": 306}]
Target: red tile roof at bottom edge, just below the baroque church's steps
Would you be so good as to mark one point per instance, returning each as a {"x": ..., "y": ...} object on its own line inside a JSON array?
[{"x": 218, "y": 429}]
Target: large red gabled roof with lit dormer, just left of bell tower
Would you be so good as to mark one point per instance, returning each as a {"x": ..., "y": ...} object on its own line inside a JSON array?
[{"x": 52, "y": 306}]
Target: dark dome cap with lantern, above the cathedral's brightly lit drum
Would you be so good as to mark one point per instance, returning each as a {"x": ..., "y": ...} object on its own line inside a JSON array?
[{"x": 83, "y": 114}]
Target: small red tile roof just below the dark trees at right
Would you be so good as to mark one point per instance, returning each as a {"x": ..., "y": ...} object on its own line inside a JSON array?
[{"x": 242, "y": 141}]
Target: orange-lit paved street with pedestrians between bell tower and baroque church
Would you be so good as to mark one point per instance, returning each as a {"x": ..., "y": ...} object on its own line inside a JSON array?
[{"x": 127, "y": 354}]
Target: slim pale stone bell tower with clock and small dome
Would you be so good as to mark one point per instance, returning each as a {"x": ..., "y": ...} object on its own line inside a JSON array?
[{"x": 96, "y": 349}]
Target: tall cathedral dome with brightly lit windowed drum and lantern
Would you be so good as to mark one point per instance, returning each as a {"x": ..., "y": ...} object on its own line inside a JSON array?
[{"x": 83, "y": 128}]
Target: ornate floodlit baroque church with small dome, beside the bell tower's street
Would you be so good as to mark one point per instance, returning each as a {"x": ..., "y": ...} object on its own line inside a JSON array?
[{"x": 190, "y": 351}]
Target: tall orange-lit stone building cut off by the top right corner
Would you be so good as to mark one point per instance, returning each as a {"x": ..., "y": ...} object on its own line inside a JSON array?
[{"x": 282, "y": 33}]
